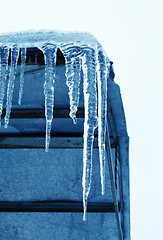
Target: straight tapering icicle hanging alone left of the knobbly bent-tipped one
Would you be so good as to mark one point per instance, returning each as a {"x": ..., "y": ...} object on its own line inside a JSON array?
[{"x": 49, "y": 51}]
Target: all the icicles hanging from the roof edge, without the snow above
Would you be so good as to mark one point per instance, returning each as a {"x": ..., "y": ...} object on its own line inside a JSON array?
[{"x": 79, "y": 58}]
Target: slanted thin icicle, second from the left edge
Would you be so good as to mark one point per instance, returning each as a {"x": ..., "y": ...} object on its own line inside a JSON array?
[{"x": 11, "y": 82}]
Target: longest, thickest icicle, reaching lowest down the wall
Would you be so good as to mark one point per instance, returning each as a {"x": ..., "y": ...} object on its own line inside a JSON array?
[{"x": 90, "y": 103}]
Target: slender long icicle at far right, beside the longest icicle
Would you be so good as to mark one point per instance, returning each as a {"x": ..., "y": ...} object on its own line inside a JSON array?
[{"x": 102, "y": 108}]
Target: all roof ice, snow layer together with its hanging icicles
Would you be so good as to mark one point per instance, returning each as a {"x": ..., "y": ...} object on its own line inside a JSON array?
[{"x": 84, "y": 57}]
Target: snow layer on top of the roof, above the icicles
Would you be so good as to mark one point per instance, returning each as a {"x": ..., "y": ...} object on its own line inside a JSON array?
[{"x": 30, "y": 38}]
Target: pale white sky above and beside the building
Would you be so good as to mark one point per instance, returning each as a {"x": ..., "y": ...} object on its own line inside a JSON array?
[{"x": 131, "y": 32}]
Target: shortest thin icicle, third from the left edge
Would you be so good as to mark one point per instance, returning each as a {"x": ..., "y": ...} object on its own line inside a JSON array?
[{"x": 23, "y": 58}]
